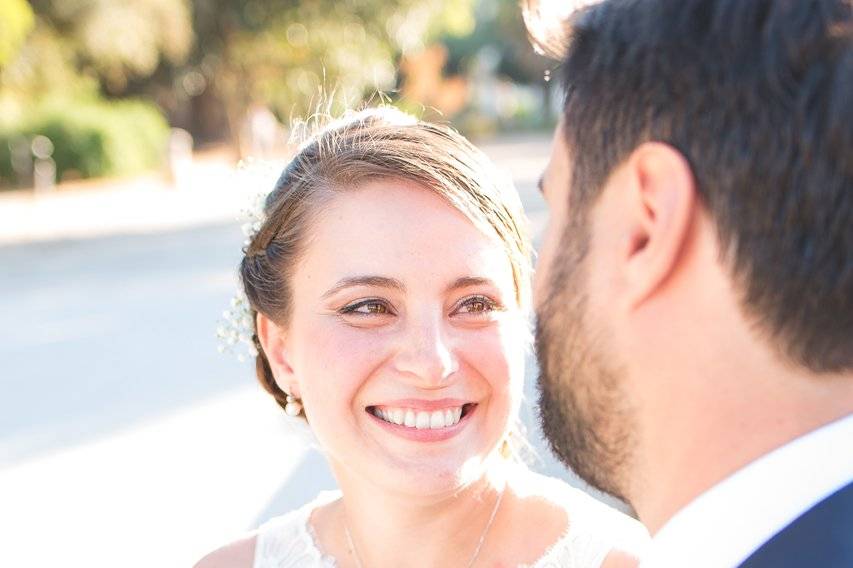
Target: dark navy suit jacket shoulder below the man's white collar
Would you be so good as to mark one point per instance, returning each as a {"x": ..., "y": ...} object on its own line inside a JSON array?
[{"x": 822, "y": 537}]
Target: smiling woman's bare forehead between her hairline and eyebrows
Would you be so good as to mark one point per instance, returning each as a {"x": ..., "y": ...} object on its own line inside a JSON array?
[{"x": 415, "y": 236}]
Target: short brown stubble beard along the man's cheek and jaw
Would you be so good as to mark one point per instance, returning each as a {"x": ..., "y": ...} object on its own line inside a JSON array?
[{"x": 583, "y": 409}]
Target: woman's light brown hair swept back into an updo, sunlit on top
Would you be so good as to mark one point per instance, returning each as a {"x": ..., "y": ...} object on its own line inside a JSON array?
[{"x": 369, "y": 145}]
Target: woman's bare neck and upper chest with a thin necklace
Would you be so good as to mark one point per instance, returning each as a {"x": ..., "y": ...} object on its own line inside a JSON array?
[{"x": 396, "y": 529}]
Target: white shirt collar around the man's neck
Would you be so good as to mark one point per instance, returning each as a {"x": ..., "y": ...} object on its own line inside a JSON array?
[{"x": 722, "y": 527}]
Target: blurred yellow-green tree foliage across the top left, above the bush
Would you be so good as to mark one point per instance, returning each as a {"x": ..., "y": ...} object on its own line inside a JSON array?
[{"x": 206, "y": 62}]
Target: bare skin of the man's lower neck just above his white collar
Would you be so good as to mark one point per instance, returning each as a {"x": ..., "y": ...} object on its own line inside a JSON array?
[{"x": 701, "y": 442}]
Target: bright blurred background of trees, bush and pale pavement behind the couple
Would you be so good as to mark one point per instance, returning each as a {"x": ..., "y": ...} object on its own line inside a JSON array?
[{"x": 126, "y": 439}]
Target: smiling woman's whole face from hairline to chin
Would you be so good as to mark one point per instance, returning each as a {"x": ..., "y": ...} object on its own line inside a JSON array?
[{"x": 406, "y": 342}]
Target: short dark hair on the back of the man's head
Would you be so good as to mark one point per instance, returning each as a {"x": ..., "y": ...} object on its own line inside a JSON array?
[{"x": 758, "y": 97}]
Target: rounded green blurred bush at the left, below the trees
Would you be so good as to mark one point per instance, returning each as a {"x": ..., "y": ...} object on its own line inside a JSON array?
[{"x": 90, "y": 138}]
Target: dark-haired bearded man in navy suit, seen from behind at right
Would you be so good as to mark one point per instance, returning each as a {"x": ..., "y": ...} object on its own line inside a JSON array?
[{"x": 695, "y": 286}]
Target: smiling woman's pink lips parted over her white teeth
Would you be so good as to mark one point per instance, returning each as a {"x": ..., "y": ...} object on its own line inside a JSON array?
[{"x": 423, "y": 420}]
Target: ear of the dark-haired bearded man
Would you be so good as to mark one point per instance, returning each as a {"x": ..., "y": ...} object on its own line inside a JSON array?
[{"x": 660, "y": 199}]
